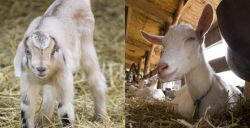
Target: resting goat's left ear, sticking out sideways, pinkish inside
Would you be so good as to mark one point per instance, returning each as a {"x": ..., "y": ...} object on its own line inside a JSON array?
[{"x": 152, "y": 38}]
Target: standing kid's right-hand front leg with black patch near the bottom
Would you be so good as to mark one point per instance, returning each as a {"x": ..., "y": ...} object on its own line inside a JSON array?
[{"x": 65, "y": 91}]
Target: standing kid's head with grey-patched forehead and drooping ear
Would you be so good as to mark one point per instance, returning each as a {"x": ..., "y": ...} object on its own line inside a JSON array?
[{"x": 37, "y": 53}]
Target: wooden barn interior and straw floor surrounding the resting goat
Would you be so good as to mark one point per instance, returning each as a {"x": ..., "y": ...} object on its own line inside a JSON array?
[{"x": 141, "y": 59}]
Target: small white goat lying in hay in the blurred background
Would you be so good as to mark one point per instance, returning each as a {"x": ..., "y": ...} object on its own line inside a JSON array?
[{"x": 148, "y": 92}]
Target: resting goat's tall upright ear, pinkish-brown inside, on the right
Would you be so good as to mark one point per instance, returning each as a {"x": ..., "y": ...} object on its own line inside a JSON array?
[{"x": 205, "y": 21}]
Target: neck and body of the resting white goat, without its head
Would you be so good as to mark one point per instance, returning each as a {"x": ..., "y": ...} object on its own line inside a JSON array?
[{"x": 198, "y": 82}]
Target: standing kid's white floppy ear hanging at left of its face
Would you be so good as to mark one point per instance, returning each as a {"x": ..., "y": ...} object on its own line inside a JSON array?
[{"x": 18, "y": 59}]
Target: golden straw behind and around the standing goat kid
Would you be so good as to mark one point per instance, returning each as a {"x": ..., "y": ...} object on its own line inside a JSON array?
[{"x": 109, "y": 41}]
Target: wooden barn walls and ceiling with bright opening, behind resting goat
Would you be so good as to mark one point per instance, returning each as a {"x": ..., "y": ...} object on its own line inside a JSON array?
[{"x": 155, "y": 17}]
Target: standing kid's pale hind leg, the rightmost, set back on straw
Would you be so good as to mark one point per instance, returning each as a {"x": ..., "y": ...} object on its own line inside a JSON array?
[{"x": 95, "y": 80}]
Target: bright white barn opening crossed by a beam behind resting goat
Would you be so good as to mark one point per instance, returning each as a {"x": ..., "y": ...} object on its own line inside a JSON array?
[{"x": 217, "y": 50}]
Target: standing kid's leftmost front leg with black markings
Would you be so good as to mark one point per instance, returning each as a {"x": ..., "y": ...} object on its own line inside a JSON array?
[{"x": 29, "y": 94}]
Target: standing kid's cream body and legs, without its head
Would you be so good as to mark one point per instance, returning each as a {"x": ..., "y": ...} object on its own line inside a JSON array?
[{"x": 71, "y": 23}]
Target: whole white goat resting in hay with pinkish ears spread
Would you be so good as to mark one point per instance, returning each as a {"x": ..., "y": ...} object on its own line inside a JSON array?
[{"x": 183, "y": 56}]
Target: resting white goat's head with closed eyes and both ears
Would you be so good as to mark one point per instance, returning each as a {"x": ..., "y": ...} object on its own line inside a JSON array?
[{"x": 182, "y": 48}]
